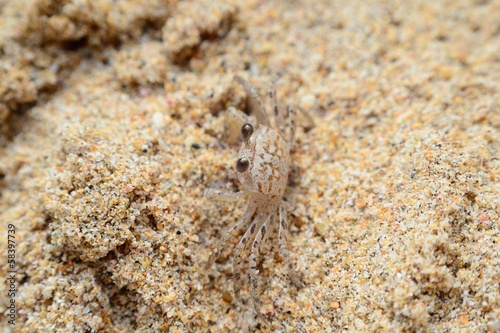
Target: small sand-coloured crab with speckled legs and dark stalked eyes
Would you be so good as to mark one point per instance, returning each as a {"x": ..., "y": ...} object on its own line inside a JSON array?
[{"x": 262, "y": 168}]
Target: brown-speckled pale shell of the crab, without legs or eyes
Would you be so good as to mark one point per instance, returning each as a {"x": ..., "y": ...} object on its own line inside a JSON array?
[{"x": 268, "y": 154}]
